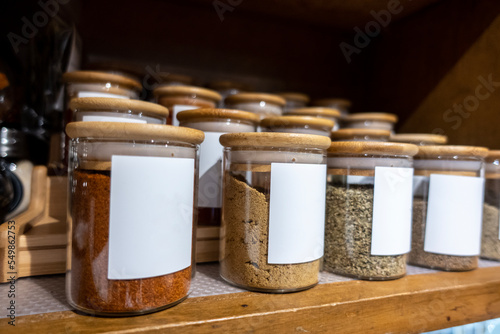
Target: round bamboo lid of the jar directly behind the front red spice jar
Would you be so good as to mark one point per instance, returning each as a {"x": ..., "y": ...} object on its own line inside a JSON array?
[{"x": 106, "y": 104}]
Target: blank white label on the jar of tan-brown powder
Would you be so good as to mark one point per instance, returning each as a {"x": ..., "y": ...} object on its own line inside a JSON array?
[{"x": 296, "y": 213}]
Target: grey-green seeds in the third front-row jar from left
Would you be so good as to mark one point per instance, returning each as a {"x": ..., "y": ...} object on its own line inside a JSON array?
[{"x": 348, "y": 234}]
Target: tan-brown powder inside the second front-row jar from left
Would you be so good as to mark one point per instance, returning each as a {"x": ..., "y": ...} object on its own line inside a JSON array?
[{"x": 244, "y": 262}]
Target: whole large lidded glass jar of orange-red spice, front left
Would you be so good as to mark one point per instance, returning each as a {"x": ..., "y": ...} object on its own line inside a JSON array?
[{"x": 122, "y": 177}]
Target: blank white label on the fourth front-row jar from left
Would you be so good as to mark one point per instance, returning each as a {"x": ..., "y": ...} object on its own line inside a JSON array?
[{"x": 454, "y": 211}]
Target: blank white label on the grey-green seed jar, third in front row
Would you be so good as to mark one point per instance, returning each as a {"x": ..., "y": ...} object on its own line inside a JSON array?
[{"x": 392, "y": 207}]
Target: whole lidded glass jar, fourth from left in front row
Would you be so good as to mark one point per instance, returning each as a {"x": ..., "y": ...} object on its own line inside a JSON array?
[{"x": 447, "y": 207}]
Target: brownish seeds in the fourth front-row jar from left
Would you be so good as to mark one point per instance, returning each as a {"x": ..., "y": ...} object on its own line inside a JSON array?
[{"x": 422, "y": 258}]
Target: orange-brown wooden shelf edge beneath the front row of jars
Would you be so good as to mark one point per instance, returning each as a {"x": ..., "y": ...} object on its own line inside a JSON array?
[{"x": 412, "y": 304}]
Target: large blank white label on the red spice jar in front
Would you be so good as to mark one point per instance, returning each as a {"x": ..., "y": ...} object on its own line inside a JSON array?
[{"x": 151, "y": 216}]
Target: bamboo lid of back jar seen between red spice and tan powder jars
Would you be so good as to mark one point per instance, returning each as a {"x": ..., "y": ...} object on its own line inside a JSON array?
[{"x": 207, "y": 113}]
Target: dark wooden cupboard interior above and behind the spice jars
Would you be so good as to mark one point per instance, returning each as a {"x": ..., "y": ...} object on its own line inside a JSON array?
[{"x": 425, "y": 65}]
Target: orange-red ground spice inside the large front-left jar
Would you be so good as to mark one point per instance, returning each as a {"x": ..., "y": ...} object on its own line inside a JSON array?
[{"x": 91, "y": 290}]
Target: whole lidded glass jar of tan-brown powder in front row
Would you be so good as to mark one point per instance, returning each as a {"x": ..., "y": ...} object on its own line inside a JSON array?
[{"x": 272, "y": 235}]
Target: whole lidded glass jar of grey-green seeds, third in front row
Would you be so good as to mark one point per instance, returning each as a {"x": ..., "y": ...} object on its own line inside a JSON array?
[{"x": 368, "y": 209}]
